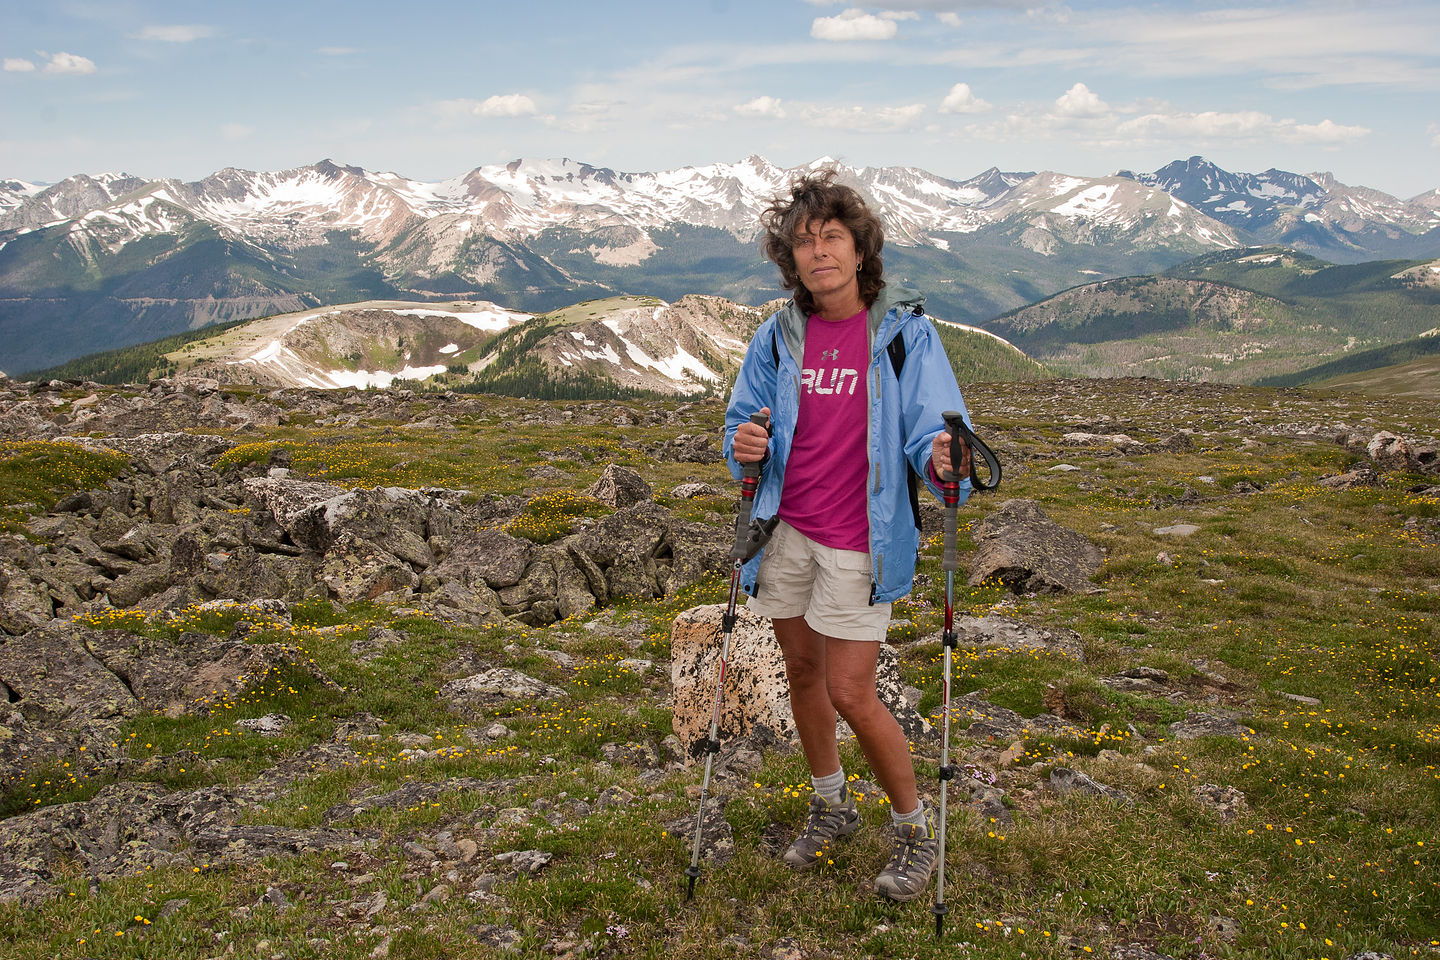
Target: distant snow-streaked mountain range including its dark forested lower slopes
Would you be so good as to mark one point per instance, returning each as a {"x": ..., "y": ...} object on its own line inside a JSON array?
[{"x": 102, "y": 261}]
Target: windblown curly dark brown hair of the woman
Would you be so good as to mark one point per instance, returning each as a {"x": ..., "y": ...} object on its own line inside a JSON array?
[{"x": 817, "y": 196}]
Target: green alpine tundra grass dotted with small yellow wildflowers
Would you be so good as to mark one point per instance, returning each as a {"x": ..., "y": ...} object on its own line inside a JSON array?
[{"x": 1308, "y": 612}]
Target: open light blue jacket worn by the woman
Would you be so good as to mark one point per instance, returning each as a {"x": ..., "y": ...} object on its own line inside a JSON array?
[{"x": 905, "y": 418}]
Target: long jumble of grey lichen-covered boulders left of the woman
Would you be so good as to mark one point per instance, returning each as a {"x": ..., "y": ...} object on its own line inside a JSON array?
[{"x": 174, "y": 530}]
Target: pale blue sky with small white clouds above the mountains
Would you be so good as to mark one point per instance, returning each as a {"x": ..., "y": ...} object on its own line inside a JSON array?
[{"x": 431, "y": 91}]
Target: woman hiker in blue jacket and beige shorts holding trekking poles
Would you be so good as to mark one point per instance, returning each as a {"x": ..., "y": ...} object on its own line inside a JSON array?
[{"x": 849, "y": 420}]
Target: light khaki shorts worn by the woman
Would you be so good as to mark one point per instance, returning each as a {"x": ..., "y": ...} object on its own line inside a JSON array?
[{"x": 829, "y": 588}]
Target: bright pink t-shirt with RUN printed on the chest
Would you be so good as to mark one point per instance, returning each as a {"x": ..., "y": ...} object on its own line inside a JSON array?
[{"x": 824, "y": 494}]
